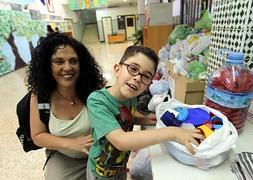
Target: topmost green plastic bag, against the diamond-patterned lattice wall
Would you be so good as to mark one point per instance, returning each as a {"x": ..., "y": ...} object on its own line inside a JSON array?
[{"x": 205, "y": 21}]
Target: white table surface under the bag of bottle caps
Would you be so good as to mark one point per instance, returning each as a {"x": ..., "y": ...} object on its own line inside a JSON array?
[{"x": 165, "y": 167}]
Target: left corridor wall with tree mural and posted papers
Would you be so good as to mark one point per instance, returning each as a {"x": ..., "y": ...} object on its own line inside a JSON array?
[{"x": 17, "y": 43}]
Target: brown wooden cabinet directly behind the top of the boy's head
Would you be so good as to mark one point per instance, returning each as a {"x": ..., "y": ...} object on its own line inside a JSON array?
[{"x": 155, "y": 37}]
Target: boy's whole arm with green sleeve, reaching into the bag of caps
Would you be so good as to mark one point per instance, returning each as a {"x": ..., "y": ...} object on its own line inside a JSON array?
[{"x": 105, "y": 124}]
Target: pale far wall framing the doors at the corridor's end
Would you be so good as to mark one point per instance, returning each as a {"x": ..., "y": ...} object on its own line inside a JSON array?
[{"x": 113, "y": 12}]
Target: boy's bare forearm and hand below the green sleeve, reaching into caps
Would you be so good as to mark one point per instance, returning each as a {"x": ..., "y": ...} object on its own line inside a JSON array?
[{"x": 139, "y": 139}]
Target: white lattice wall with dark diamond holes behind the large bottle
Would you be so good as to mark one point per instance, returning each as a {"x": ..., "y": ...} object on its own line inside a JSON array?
[{"x": 232, "y": 29}]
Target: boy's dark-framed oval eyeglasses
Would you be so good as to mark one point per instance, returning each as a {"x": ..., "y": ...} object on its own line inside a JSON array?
[{"x": 134, "y": 71}]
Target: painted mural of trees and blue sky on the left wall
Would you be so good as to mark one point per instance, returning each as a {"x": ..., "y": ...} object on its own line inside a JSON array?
[{"x": 19, "y": 34}]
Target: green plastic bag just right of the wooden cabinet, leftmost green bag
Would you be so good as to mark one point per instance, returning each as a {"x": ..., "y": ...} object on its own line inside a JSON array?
[{"x": 180, "y": 32}]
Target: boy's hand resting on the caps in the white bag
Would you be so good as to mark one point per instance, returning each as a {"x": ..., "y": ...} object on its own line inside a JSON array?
[{"x": 187, "y": 136}]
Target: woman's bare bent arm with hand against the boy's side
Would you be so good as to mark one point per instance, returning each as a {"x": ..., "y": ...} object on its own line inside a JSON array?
[{"x": 41, "y": 137}]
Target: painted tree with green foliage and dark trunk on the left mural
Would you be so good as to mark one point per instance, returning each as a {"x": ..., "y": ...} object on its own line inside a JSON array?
[{"x": 19, "y": 24}]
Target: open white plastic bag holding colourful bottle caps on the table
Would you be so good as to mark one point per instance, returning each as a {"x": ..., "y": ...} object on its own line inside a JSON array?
[{"x": 212, "y": 151}]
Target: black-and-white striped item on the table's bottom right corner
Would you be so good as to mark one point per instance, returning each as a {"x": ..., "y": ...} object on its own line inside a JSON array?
[{"x": 242, "y": 167}]
